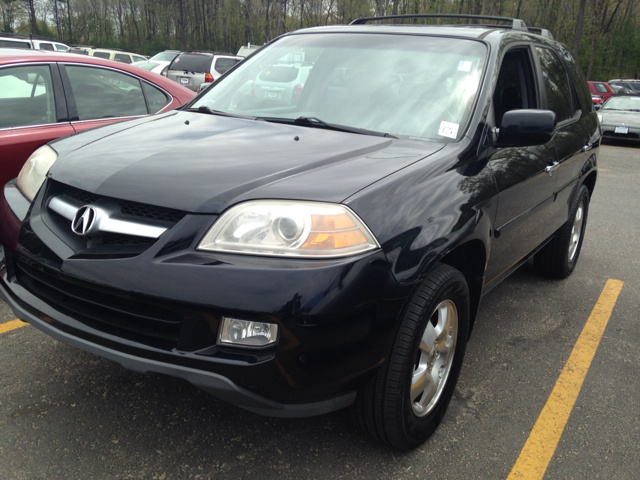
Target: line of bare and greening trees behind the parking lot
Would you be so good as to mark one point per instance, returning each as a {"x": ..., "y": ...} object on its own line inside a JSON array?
[{"x": 603, "y": 34}]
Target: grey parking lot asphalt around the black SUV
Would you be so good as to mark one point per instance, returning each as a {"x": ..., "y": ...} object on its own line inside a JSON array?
[{"x": 68, "y": 414}]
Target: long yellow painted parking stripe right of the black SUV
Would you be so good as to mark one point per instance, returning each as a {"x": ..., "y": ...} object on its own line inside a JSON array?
[{"x": 545, "y": 435}]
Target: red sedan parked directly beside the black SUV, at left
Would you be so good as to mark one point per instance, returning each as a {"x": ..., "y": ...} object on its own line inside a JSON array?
[{"x": 45, "y": 95}]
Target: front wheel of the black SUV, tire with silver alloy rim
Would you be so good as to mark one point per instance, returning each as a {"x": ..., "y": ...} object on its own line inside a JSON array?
[{"x": 386, "y": 408}]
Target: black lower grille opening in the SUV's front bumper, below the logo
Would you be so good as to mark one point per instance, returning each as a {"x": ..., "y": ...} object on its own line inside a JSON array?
[{"x": 142, "y": 320}]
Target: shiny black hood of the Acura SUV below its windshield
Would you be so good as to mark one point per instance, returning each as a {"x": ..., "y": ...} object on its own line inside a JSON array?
[{"x": 204, "y": 163}]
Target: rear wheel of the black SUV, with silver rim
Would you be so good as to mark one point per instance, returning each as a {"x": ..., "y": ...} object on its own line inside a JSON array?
[{"x": 558, "y": 258}]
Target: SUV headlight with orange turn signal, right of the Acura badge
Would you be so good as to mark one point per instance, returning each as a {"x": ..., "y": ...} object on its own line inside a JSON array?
[{"x": 289, "y": 228}]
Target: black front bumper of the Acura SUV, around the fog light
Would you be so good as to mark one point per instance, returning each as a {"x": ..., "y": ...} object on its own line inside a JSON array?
[{"x": 159, "y": 311}]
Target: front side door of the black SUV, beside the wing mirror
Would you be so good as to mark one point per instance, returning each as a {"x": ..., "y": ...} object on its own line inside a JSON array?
[{"x": 523, "y": 175}]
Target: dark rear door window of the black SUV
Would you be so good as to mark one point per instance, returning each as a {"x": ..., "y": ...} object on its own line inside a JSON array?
[{"x": 556, "y": 84}]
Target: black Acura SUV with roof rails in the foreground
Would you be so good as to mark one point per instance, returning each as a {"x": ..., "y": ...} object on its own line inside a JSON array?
[{"x": 328, "y": 251}]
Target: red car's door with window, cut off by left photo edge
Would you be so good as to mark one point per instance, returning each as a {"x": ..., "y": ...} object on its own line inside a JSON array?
[{"x": 32, "y": 112}]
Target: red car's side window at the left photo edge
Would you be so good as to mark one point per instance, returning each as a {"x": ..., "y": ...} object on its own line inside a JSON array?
[{"x": 26, "y": 96}]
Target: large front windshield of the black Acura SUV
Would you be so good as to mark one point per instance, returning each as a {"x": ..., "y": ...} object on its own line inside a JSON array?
[{"x": 401, "y": 85}]
